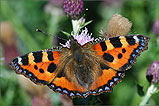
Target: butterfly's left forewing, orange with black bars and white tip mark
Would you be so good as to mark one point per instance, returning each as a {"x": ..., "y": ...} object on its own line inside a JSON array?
[{"x": 39, "y": 66}]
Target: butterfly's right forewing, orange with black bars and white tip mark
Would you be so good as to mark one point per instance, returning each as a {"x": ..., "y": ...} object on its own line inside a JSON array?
[{"x": 121, "y": 52}]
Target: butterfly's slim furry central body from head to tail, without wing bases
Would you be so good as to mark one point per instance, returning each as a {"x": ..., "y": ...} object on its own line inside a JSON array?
[{"x": 83, "y": 66}]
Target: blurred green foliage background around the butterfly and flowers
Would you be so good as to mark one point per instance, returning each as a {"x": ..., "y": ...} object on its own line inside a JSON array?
[{"x": 27, "y": 15}]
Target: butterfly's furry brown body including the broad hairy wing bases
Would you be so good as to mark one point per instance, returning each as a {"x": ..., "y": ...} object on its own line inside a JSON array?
[{"x": 83, "y": 69}]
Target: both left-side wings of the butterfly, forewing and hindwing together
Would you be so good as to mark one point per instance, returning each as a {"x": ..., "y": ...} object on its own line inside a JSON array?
[{"x": 40, "y": 67}]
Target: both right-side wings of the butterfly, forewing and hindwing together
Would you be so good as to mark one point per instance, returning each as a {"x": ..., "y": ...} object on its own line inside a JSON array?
[{"x": 119, "y": 54}]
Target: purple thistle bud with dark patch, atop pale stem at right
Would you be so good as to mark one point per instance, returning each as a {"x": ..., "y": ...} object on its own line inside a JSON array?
[{"x": 152, "y": 74}]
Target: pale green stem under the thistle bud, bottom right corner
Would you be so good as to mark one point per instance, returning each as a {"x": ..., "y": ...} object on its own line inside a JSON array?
[{"x": 152, "y": 89}]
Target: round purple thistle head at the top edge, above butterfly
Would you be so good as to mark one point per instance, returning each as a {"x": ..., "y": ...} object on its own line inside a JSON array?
[{"x": 73, "y": 8}]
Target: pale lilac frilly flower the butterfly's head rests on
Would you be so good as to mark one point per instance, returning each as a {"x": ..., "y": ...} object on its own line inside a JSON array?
[{"x": 82, "y": 38}]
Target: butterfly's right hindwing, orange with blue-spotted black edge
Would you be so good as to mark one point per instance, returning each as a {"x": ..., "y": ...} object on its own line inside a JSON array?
[{"x": 106, "y": 81}]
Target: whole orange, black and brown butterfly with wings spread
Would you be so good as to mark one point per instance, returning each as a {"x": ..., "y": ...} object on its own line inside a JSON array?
[{"x": 81, "y": 70}]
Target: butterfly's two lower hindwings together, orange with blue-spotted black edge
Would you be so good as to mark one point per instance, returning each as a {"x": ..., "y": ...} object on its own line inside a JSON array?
[{"x": 104, "y": 83}]
